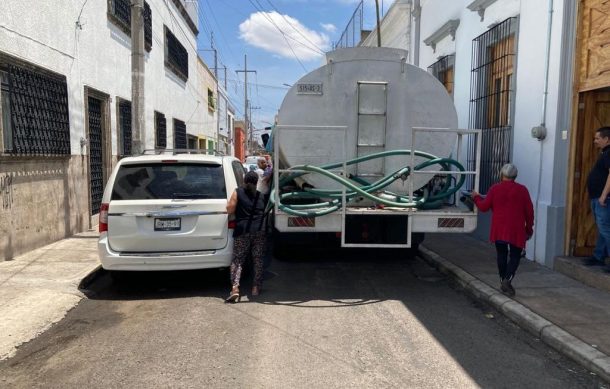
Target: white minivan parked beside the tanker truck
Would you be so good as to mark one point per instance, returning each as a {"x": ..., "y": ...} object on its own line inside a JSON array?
[{"x": 168, "y": 212}]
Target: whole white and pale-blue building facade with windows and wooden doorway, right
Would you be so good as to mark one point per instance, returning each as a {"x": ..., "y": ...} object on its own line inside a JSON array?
[{"x": 534, "y": 77}]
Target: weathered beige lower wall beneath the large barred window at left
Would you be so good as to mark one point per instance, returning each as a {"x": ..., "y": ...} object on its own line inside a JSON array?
[{"x": 41, "y": 203}]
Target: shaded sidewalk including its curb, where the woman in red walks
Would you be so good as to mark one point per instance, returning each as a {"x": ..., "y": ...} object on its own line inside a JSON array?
[{"x": 567, "y": 315}]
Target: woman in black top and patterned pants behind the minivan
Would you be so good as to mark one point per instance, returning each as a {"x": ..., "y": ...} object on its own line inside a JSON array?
[{"x": 249, "y": 234}]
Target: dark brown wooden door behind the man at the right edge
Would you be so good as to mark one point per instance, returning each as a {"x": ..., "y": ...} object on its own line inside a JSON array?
[{"x": 593, "y": 113}]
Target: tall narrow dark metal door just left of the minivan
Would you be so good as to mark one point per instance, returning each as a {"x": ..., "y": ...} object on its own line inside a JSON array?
[{"x": 96, "y": 159}]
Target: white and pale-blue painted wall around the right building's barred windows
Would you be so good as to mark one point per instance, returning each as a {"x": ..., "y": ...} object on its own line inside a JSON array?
[{"x": 543, "y": 164}]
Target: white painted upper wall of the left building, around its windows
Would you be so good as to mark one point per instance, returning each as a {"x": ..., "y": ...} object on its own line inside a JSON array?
[{"x": 98, "y": 55}]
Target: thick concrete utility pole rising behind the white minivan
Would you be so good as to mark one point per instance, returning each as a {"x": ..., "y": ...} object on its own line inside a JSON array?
[{"x": 138, "y": 135}]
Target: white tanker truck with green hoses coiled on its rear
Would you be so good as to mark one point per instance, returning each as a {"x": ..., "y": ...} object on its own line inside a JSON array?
[{"x": 366, "y": 147}]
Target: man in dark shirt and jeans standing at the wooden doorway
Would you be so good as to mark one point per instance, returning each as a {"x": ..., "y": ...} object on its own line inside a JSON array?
[{"x": 598, "y": 187}]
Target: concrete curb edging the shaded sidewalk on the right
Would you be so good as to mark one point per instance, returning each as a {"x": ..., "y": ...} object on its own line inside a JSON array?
[{"x": 565, "y": 343}]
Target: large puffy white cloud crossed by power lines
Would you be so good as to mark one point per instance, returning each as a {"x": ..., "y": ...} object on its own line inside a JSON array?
[{"x": 259, "y": 31}]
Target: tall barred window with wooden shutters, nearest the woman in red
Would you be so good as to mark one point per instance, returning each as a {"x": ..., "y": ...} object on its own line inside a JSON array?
[{"x": 491, "y": 98}]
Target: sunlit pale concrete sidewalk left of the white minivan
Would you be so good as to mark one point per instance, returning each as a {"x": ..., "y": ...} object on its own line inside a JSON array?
[{"x": 38, "y": 288}]
